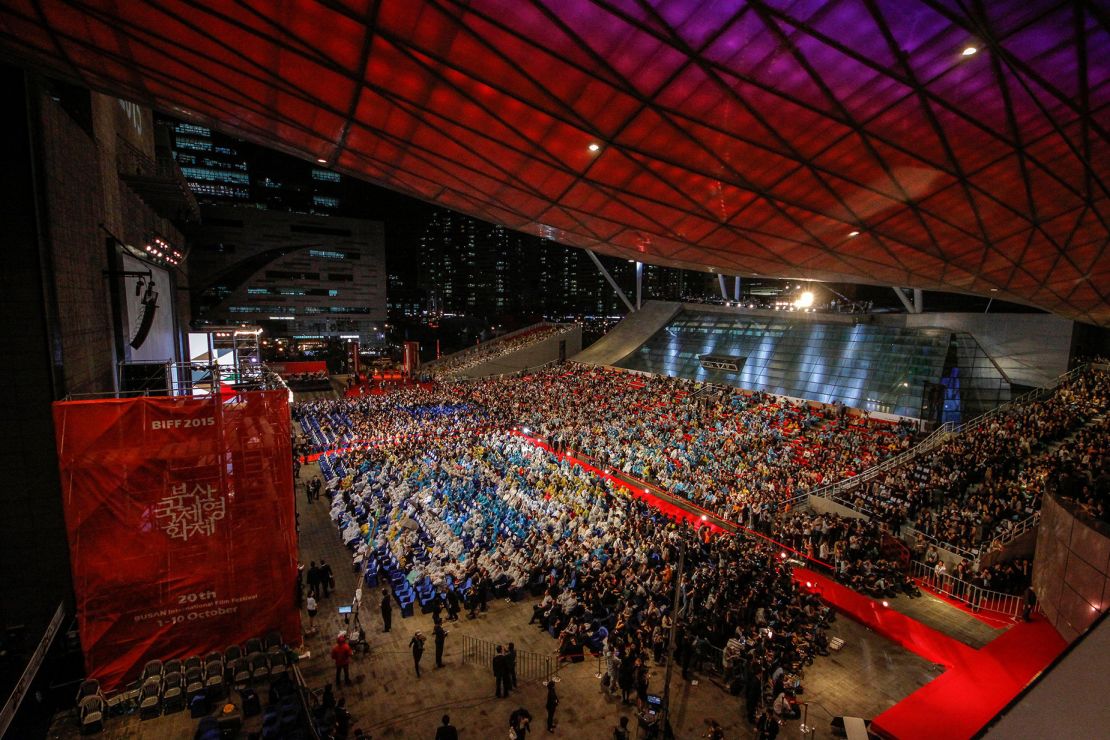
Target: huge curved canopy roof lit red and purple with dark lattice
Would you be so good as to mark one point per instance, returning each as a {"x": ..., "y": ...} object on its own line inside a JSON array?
[{"x": 855, "y": 140}]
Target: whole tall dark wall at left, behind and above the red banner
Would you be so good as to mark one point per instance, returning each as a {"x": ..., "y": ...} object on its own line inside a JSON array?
[{"x": 58, "y": 195}]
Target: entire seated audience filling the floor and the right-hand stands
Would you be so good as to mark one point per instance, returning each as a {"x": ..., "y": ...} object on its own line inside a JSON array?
[{"x": 446, "y": 485}]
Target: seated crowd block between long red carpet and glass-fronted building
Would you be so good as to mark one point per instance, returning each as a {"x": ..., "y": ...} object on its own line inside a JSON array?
[{"x": 738, "y": 454}]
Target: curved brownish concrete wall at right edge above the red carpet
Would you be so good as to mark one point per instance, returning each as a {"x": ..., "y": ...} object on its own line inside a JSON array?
[{"x": 1072, "y": 573}]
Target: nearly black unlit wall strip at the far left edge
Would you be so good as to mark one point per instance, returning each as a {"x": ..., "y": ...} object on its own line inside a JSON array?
[{"x": 35, "y": 574}]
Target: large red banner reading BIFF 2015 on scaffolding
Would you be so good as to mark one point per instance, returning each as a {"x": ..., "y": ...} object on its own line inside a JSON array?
[{"x": 181, "y": 525}]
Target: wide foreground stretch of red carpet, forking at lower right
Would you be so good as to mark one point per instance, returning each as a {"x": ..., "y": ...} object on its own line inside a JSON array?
[{"x": 976, "y": 685}]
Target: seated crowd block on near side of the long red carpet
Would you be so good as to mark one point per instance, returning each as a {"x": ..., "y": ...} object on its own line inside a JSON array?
[{"x": 493, "y": 514}]
